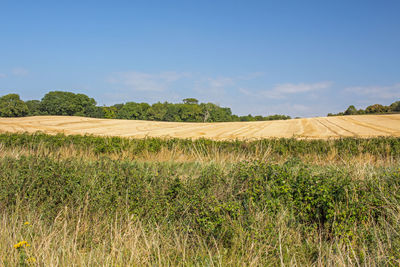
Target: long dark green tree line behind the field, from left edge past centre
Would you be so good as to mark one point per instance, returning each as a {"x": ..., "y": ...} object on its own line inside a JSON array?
[{"x": 71, "y": 104}]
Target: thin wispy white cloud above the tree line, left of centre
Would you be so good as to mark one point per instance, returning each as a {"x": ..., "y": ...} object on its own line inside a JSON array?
[{"x": 141, "y": 81}]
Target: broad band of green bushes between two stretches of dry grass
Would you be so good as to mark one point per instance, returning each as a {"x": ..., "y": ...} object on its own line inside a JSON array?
[{"x": 210, "y": 203}]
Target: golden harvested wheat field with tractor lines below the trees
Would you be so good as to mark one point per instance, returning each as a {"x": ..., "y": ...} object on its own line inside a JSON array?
[{"x": 322, "y": 127}]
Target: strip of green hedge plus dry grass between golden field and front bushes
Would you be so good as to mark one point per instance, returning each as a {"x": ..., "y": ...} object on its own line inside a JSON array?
[{"x": 373, "y": 150}]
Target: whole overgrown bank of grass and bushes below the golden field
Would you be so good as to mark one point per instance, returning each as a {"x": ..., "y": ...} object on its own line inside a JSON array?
[{"x": 102, "y": 210}]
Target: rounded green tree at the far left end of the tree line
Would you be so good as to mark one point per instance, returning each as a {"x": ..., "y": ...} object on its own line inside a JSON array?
[{"x": 12, "y": 106}]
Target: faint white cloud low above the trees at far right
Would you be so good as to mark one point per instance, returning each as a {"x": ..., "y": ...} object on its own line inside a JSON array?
[{"x": 380, "y": 92}]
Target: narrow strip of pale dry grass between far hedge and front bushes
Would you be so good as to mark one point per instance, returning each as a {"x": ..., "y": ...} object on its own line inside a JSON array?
[{"x": 215, "y": 155}]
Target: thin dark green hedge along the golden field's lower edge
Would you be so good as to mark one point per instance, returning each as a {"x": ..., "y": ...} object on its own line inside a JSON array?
[{"x": 382, "y": 147}]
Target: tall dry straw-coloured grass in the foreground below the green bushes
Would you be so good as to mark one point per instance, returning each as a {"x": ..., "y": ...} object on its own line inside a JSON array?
[{"x": 76, "y": 238}]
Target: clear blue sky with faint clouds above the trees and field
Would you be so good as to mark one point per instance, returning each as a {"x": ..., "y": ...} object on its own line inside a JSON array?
[{"x": 300, "y": 58}]
